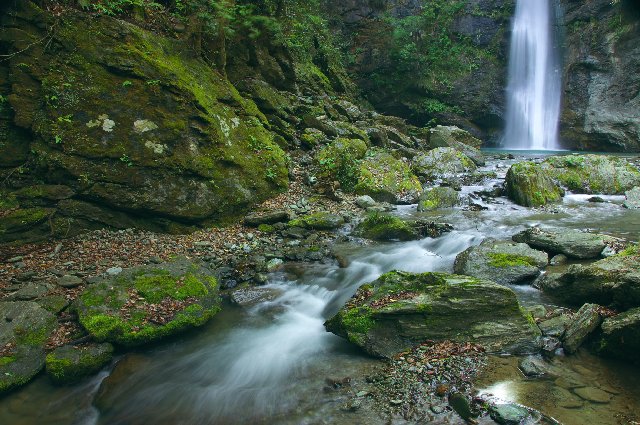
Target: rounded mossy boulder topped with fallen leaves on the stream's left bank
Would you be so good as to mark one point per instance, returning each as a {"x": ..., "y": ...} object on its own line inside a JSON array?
[{"x": 148, "y": 303}]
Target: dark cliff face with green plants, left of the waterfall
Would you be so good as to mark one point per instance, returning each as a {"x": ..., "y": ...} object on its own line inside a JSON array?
[{"x": 430, "y": 60}]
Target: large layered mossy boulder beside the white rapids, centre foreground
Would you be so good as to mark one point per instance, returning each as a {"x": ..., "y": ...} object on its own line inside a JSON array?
[{"x": 400, "y": 309}]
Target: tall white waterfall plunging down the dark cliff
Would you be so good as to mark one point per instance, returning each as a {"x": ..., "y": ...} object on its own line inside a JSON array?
[{"x": 533, "y": 91}]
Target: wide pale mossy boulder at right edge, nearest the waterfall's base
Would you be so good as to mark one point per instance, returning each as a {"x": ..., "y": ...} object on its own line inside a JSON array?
[{"x": 607, "y": 175}]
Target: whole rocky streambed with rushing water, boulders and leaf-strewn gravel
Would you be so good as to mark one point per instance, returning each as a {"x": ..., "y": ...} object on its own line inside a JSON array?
[{"x": 266, "y": 357}]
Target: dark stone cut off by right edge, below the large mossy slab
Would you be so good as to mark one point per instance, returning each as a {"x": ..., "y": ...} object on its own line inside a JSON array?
[{"x": 621, "y": 336}]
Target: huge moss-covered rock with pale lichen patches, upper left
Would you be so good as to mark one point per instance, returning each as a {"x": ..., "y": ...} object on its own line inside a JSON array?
[{"x": 134, "y": 122}]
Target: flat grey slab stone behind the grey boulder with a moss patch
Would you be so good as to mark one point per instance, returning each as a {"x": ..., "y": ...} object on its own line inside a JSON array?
[{"x": 572, "y": 243}]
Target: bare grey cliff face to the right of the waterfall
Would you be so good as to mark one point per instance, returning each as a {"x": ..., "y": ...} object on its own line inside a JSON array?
[{"x": 601, "y": 98}]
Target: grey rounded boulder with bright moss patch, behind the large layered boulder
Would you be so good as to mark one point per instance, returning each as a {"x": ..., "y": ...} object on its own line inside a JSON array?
[{"x": 504, "y": 262}]
